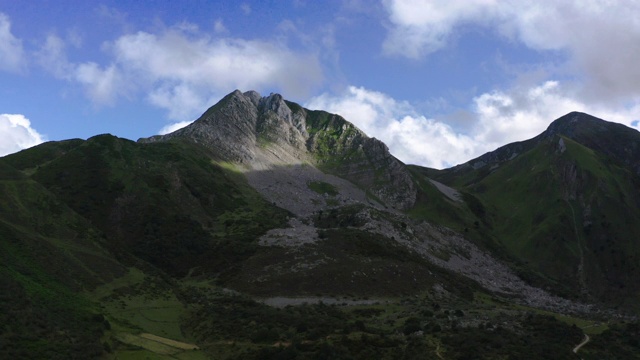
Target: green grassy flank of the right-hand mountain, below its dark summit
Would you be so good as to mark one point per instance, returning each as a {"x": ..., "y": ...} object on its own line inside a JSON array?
[{"x": 552, "y": 211}]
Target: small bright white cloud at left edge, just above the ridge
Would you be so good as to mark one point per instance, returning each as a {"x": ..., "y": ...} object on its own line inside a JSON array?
[{"x": 16, "y": 134}]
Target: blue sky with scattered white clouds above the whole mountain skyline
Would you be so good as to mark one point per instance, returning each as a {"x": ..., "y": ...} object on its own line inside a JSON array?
[{"x": 440, "y": 82}]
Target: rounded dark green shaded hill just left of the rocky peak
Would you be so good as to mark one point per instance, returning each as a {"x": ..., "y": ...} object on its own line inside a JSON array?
[{"x": 167, "y": 203}]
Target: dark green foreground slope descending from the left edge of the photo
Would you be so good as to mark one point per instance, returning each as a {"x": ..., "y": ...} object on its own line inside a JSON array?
[{"x": 47, "y": 254}]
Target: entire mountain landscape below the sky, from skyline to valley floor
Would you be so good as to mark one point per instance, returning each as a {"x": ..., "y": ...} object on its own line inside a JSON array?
[{"x": 266, "y": 230}]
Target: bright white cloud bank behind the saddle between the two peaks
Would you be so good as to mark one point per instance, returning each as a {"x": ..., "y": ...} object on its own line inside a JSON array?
[{"x": 499, "y": 117}]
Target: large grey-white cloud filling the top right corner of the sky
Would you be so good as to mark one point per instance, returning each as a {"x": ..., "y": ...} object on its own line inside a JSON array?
[{"x": 600, "y": 37}]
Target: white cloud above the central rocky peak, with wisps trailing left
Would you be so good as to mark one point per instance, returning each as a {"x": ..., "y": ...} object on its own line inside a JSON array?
[{"x": 182, "y": 70}]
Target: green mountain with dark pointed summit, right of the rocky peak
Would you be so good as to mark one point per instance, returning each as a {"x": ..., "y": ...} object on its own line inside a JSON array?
[{"x": 565, "y": 202}]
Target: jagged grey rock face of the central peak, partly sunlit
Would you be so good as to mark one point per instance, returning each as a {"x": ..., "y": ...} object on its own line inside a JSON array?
[{"x": 266, "y": 132}]
